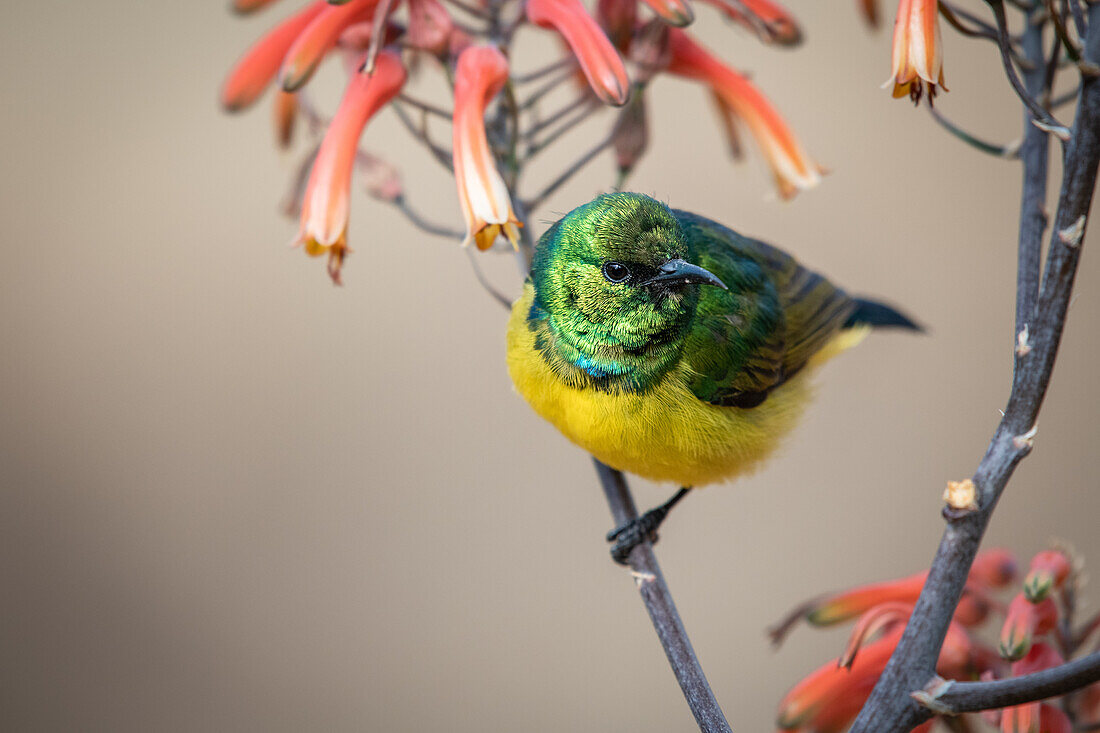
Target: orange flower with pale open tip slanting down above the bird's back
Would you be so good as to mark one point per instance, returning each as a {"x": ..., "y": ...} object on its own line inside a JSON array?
[{"x": 794, "y": 170}]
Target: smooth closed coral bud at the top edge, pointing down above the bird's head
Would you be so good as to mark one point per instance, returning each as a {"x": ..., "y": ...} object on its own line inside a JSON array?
[{"x": 601, "y": 63}]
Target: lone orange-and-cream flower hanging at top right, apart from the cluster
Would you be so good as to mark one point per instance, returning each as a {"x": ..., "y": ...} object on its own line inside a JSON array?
[{"x": 918, "y": 50}]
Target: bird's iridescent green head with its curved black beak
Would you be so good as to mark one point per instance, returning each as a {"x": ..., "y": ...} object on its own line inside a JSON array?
[{"x": 614, "y": 289}]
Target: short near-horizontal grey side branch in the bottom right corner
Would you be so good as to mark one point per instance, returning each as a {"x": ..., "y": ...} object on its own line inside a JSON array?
[{"x": 952, "y": 698}]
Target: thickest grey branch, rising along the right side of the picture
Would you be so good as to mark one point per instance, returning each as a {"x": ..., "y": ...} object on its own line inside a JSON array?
[{"x": 890, "y": 709}]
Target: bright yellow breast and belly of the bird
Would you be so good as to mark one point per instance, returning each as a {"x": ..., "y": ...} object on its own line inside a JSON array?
[{"x": 666, "y": 434}]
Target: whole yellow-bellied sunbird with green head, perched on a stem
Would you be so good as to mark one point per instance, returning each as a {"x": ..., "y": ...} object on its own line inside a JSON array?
[{"x": 672, "y": 347}]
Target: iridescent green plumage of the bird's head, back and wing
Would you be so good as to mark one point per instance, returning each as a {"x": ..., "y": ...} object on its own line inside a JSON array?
[{"x": 736, "y": 344}]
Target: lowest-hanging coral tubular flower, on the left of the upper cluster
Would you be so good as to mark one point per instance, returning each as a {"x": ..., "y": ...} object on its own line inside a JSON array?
[{"x": 326, "y": 205}]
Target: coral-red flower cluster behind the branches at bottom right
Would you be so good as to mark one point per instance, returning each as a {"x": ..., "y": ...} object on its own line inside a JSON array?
[{"x": 1031, "y": 640}]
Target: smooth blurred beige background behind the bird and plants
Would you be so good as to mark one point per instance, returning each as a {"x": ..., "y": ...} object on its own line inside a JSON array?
[{"x": 236, "y": 498}]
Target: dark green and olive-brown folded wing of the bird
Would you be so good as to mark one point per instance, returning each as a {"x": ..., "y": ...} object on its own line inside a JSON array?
[{"x": 775, "y": 318}]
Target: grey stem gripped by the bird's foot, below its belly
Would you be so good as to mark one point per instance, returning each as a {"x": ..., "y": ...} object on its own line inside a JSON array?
[{"x": 663, "y": 611}]
